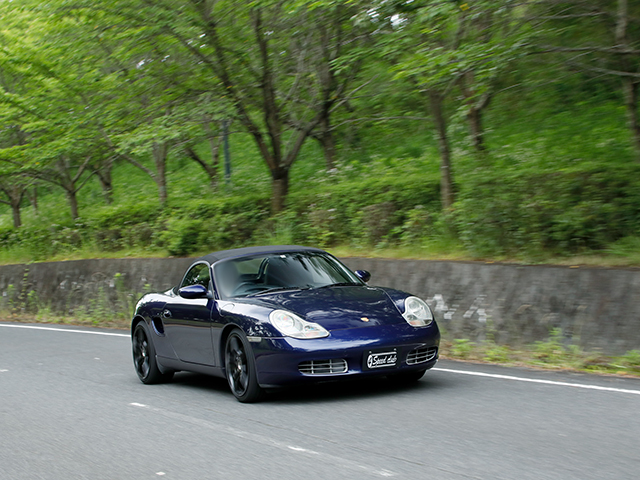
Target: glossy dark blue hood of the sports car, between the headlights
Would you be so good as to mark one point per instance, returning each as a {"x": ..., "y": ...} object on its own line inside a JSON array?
[{"x": 336, "y": 307}]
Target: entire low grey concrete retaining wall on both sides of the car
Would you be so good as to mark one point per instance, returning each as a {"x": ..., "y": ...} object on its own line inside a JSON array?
[{"x": 596, "y": 308}]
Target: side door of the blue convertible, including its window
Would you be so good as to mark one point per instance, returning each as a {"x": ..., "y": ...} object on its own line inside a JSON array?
[{"x": 187, "y": 321}]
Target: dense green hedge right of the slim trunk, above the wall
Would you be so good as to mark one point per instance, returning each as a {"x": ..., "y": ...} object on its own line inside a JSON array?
[{"x": 584, "y": 207}]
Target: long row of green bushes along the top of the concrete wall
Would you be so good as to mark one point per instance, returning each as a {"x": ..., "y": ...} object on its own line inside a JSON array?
[{"x": 530, "y": 214}]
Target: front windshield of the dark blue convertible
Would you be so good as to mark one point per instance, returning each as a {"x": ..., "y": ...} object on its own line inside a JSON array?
[{"x": 266, "y": 273}]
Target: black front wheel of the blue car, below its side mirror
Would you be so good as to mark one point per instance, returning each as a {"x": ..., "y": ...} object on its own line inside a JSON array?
[{"x": 240, "y": 368}]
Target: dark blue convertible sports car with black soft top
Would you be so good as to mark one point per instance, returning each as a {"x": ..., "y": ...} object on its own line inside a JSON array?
[{"x": 265, "y": 317}]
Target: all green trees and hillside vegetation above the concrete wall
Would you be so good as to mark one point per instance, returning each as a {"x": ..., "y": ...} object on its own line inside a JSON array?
[{"x": 479, "y": 130}]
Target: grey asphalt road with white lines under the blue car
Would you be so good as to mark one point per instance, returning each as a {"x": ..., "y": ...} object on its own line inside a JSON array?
[{"x": 72, "y": 407}]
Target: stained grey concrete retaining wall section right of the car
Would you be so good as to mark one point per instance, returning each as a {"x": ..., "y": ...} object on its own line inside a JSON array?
[{"x": 596, "y": 308}]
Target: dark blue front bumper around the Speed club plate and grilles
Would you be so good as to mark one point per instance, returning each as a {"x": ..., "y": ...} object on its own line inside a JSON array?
[{"x": 278, "y": 359}]
